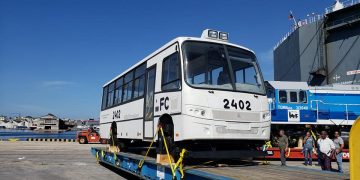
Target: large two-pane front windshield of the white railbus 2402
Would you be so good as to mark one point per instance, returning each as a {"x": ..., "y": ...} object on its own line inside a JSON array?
[{"x": 216, "y": 66}]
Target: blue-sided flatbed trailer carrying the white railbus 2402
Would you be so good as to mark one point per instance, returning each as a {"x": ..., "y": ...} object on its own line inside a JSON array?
[{"x": 129, "y": 162}]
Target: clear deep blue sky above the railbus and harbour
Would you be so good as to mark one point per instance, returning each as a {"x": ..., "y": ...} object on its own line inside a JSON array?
[{"x": 56, "y": 55}]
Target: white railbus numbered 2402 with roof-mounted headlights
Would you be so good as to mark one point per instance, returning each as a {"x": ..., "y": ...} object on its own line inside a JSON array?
[{"x": 212, "y": 89}]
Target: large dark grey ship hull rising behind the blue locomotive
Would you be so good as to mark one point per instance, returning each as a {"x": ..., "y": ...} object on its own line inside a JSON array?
[{"x": 322, "y": 49}]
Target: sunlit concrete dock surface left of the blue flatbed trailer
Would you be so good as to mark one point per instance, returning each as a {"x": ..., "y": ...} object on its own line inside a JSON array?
[{"x": 50, "y": 161}]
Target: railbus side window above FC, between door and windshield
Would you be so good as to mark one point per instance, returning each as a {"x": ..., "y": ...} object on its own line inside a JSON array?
[{"x": 171, "y": 72}]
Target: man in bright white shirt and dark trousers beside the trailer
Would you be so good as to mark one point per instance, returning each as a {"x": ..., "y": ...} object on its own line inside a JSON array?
[{"x": 327, "y": 148}]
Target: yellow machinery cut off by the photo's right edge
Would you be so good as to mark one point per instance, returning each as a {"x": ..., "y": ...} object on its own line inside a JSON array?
[{"x": 355, "y": 150}]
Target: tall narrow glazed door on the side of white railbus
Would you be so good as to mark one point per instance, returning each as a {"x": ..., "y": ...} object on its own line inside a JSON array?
[{"x": 149, "y": 103}]
